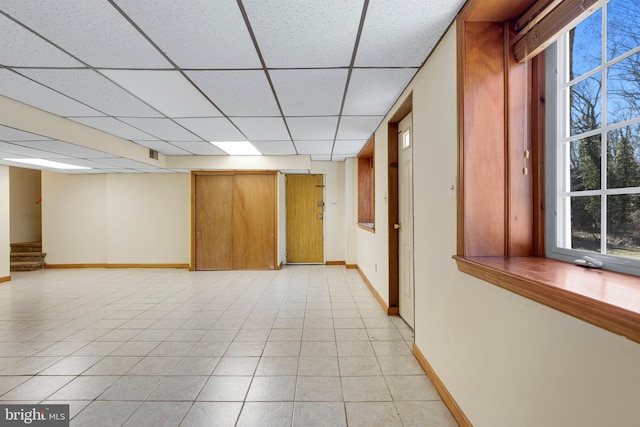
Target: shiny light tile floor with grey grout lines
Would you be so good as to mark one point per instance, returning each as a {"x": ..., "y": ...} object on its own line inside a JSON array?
[{"x": 303, "y": 346}]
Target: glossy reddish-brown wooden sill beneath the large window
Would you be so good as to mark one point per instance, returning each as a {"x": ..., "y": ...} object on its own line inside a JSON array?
[{"x": 603, "y": 298}]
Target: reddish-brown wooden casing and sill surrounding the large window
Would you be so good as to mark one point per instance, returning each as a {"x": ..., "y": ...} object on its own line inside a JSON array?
[{"x": 501, "y": 178}]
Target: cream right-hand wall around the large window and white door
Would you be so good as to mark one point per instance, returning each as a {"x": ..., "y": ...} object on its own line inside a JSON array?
[{"x": 507, "y": 360}]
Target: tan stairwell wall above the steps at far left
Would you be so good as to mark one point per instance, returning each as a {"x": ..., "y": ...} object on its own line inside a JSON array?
[{"x": 26, "y": 212}]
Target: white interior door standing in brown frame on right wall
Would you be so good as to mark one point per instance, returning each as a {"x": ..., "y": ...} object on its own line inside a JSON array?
[{"x": 405, "y": 215}]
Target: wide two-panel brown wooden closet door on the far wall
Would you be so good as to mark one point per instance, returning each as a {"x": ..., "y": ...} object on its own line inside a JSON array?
[{"x": 234, "y": 221}]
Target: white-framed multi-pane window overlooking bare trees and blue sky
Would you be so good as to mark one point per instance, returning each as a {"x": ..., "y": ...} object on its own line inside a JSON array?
[{"x": 596, "y": 180}]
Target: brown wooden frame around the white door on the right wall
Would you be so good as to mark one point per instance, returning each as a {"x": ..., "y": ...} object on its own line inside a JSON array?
[{"x": 394, "y": 236}]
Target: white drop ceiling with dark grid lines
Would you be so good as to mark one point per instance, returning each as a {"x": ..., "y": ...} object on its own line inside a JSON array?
[{"x": 293, "y": 77}]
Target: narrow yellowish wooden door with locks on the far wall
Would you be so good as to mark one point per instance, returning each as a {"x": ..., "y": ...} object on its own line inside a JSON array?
[{"x": 305, "y": 224}]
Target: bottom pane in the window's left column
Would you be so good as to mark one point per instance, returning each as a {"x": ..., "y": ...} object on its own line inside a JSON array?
[{"x": 585, "y": 223}]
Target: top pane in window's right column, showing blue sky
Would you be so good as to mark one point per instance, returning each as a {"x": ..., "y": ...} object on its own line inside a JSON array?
[{"x": 623, "y": 20}]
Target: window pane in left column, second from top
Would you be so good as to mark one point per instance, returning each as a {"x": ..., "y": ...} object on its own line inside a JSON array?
[{"x": 586, "y": 104}]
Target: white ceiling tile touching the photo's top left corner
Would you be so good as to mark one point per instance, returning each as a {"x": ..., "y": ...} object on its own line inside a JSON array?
[{"x": 91, "y": 30}]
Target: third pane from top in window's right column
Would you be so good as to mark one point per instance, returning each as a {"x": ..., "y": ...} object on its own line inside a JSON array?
[{"x": 623, "y": 157}]
